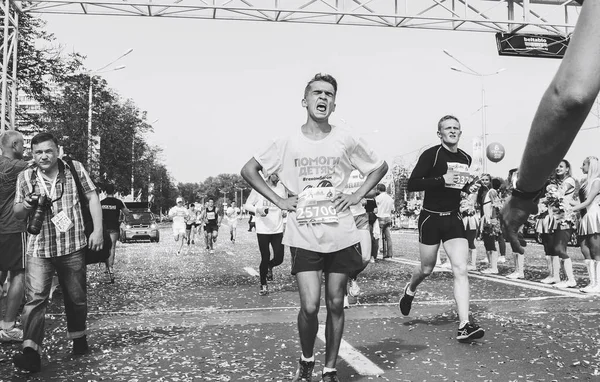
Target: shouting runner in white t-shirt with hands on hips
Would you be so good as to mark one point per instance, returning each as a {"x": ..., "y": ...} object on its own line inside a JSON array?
[{"x": 314, "y": 165}]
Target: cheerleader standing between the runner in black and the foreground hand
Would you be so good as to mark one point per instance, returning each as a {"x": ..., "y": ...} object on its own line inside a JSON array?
[{"x": 490, "y": 228}]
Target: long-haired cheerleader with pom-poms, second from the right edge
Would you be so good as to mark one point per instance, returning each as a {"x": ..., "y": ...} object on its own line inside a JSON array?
[{"x": 560, "y": 195}]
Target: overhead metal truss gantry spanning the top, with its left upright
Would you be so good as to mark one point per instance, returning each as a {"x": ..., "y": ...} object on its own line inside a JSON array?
[{"x": 556, "y": 17}]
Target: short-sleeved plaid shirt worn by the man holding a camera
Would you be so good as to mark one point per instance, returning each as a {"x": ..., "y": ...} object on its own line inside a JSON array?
[{"x": 50, "y": 242}]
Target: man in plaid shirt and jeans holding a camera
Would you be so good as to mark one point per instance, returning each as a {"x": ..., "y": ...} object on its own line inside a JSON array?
[{"x": 47, "y": 194}]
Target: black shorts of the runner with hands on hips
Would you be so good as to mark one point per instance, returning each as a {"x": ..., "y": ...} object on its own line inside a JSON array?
[{"x": 346, "y": 260}]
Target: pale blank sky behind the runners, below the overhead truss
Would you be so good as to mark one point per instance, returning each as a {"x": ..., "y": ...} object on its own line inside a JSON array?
[{"x": 221, "y": 89}]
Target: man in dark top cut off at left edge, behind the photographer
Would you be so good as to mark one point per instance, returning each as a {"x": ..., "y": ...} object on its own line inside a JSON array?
[{"x": 12, "y": 234}]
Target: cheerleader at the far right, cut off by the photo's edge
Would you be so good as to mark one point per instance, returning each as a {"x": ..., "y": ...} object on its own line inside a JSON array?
[{"x": 589, "y": 225}]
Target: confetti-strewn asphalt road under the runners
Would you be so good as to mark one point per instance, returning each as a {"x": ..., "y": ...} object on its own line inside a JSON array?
[{"x": 198, "y": 317}]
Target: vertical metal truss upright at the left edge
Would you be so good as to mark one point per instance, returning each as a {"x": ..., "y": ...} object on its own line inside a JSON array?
[{"x": 9, "y": 44}]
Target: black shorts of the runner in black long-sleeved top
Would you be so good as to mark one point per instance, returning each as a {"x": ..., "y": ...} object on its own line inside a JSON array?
[{"x": 435, "y": 227}]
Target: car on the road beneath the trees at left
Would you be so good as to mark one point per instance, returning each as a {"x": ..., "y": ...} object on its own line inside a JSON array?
[{"x": 140, "y": 224}]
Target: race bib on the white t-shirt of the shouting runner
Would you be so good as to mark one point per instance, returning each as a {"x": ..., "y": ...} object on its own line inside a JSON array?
[{"x": 315, "y": 206}]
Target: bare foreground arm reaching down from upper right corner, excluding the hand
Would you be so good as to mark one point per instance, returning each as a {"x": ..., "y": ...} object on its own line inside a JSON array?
[{"x": 565, "y": 104}]
